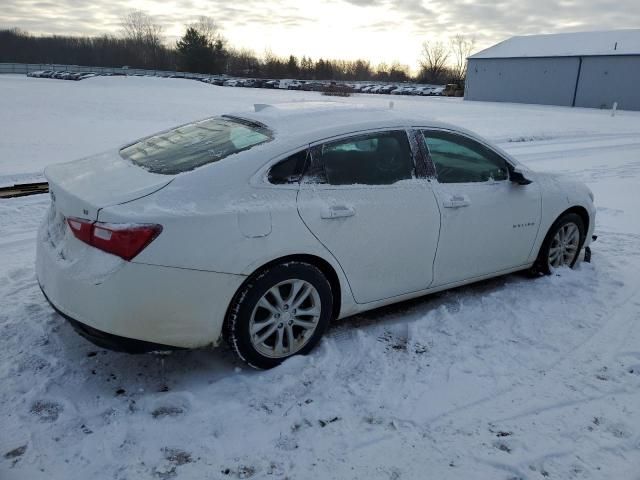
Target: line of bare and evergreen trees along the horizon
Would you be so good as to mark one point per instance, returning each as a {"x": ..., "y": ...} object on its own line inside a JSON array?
[{"x": 203, "y": 49}]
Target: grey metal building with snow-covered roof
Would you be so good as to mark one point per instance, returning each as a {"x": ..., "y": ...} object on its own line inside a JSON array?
[{"x": 583, "y": 69}]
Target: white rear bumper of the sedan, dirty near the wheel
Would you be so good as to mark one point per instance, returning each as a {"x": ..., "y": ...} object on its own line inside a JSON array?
[{"x": 137, "y": 307}]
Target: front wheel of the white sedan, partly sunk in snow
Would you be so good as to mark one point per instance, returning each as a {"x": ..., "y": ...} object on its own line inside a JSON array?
[{"x": 547, "y": 259}]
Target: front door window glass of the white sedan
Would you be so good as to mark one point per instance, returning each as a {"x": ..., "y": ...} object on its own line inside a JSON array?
[{"x": 459, "y": 159}]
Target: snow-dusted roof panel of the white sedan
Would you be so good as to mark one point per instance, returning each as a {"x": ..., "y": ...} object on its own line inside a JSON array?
[{"x": 312, "y": 121}]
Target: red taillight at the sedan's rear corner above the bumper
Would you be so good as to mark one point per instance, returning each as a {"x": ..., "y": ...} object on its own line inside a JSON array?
[{"x": 124, "y": 240}]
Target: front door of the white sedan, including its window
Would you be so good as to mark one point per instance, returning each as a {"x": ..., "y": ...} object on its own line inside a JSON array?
[{"x": 489, "y": 224}]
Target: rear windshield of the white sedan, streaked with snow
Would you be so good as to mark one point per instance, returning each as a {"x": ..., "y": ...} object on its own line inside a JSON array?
[{"x": 196, "y": 144}]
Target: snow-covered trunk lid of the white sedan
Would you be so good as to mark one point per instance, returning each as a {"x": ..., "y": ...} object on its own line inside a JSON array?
[{"x": 82, "y": 187}]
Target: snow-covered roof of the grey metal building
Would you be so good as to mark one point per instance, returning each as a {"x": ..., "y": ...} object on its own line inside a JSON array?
[{"x": 613, "y": 42}]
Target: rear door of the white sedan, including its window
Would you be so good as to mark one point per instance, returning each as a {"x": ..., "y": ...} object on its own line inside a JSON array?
[{"x": 363, "y": 201}]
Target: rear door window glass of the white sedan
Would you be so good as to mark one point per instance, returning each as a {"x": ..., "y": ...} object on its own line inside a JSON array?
[{"x": 382, "y": 158}]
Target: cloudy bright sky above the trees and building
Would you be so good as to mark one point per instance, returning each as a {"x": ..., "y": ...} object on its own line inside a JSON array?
[{"x": 377, "y": 30}]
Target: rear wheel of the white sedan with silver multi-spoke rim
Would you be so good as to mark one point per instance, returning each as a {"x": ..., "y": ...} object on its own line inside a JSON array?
[{"x": 284, "y": 302}]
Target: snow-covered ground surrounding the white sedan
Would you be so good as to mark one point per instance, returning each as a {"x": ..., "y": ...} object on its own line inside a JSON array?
[{"x": 512, "y": 378}]
